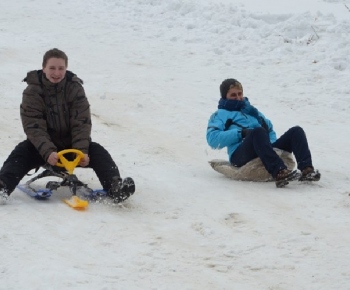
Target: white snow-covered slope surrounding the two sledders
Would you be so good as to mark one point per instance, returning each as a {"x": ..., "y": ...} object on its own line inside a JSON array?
[{"x": 152, "y": 71}]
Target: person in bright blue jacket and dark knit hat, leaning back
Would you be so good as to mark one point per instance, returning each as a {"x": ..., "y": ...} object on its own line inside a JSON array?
[{"x": 248, "y": 134}]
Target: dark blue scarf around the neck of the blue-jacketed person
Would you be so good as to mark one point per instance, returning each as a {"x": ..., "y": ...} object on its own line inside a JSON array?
[{"x": 242, "y": 106}]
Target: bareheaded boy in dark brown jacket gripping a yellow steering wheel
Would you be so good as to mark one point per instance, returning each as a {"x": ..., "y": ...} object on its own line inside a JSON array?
[{"x": 55, "y": 116}]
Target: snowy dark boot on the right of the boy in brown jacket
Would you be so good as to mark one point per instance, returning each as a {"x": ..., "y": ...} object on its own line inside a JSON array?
[{"x": 122, "y": 189}]
